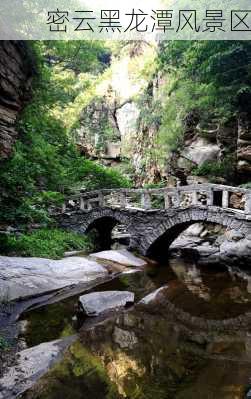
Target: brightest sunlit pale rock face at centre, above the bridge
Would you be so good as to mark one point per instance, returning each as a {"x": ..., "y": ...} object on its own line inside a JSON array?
[{"x": 108, "y": 124}]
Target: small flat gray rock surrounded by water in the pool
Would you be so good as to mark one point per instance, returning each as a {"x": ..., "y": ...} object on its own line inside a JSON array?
[{"x": 97, "y": 302}]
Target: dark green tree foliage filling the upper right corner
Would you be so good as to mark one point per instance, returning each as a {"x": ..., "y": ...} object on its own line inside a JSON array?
[{"x": 219, "y": 72}]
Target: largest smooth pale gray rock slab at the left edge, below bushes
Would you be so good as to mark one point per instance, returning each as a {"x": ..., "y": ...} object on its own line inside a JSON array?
[{"x": 24, "y": 277}]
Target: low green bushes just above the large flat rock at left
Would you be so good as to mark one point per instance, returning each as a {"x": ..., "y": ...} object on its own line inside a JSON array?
[{"x": 46, "y": 243}]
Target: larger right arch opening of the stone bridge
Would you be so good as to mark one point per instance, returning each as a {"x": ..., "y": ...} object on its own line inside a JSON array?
[{"x": 166, "y": 243}]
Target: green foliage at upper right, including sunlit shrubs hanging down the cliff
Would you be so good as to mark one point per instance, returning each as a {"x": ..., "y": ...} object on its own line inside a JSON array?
[{"x": 211, "y": 78}]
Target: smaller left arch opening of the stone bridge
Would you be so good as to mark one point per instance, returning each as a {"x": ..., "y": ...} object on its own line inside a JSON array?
[{"x": 105, "y": 231}]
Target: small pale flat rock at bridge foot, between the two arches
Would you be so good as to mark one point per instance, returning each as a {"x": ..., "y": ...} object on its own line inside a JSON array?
[{"x": 122, "y": 256}]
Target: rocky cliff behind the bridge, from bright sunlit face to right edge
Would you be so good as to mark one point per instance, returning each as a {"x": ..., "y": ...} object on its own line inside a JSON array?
[{"x": 145, "y": 115}]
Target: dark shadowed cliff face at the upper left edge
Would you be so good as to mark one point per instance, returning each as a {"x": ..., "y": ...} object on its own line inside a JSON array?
[{"x": 16, "y": 71}]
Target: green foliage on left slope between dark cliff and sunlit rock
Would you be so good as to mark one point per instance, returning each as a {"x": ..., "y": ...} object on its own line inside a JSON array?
[{"x": 45, "y": 163}]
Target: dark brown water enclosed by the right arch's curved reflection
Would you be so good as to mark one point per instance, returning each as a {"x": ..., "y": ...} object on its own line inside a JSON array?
[{"x": 211, "y": 292}]
